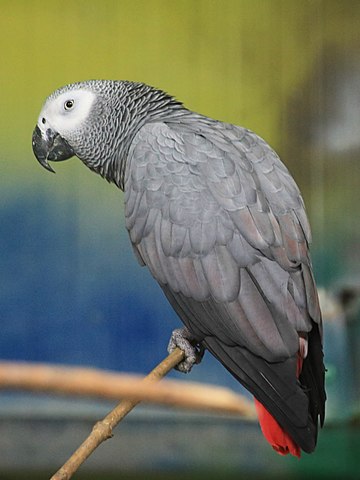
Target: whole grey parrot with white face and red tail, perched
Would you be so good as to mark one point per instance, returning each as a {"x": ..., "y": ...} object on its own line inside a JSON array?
[{"x": 219, "y": 221}]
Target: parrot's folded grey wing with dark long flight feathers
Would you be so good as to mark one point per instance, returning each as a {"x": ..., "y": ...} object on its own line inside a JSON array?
[{"x": 221, "y": 225}]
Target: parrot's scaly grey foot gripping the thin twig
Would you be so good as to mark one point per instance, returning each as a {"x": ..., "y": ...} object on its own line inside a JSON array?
[{"x": 194, "y": 352}]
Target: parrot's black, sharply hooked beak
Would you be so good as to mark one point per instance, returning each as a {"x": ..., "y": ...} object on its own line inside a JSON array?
[{"x": 49, "y": 145}]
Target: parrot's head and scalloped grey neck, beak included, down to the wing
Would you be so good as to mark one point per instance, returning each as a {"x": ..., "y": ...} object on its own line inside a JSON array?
[{"x": 96, "y": 120}]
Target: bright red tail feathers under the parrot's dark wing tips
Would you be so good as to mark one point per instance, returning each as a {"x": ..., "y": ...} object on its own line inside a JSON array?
[{"x": 281, "y": 441}]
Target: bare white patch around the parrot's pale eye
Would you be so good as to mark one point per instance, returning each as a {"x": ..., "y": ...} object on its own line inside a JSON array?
[{"x": 67, "y": 112}]
